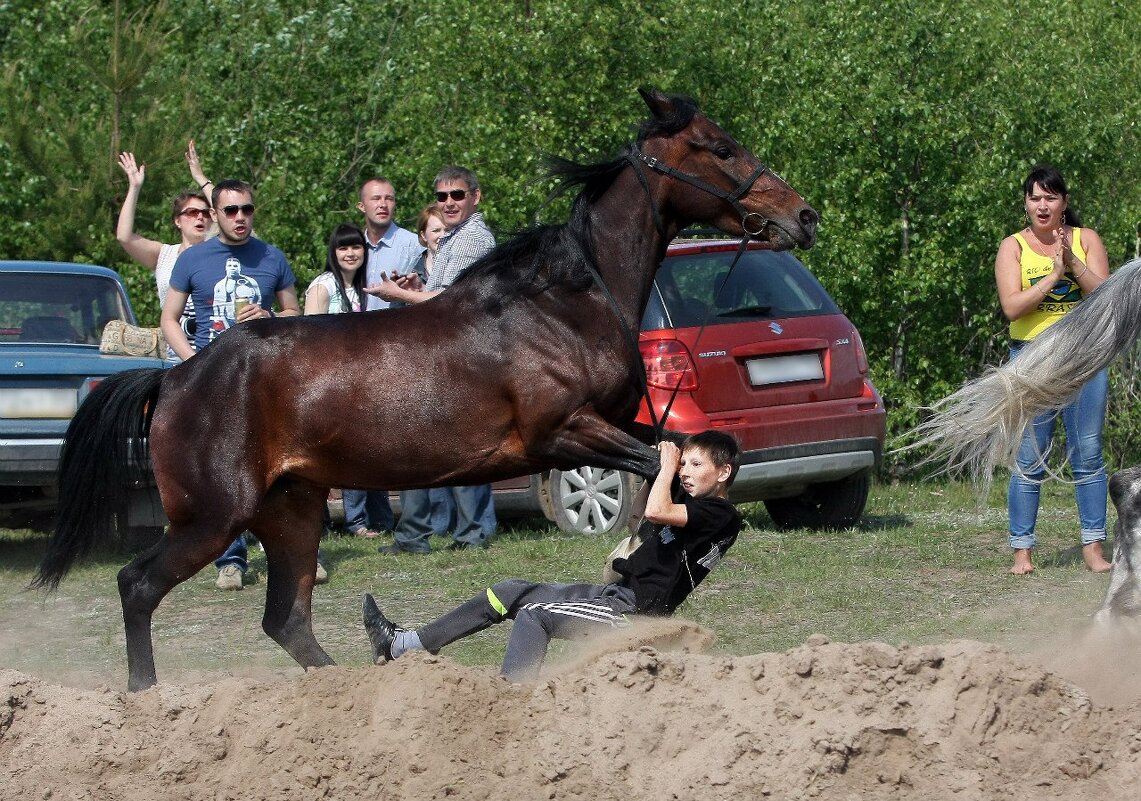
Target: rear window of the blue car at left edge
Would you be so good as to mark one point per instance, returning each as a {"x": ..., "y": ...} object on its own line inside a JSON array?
[{"x": 59, "y": 309}]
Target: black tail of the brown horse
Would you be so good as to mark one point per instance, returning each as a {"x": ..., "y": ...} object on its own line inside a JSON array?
[{"x": 104, "y": 449}]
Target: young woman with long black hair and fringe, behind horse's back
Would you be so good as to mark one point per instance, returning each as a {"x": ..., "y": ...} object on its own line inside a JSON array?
[{"x": 339, "y": 290}]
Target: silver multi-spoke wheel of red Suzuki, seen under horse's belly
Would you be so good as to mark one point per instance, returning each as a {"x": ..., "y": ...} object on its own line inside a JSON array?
[{"x": 590, "y": 500}]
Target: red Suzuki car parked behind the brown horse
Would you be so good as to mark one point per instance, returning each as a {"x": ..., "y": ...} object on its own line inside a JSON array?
[{"x": 762, "y": 353}]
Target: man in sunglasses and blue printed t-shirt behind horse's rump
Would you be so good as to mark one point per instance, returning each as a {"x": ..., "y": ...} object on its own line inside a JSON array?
[{"x": 233, "y": 278}]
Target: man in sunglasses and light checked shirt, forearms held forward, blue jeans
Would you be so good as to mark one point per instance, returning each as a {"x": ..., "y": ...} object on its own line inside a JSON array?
[{"x": 465, "y": 242}]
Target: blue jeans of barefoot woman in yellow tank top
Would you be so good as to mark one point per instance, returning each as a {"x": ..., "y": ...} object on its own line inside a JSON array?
[{"x": 1083, "y": 422}]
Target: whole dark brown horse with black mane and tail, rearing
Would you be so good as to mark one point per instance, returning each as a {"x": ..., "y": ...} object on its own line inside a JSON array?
[{"x": 528, "y": 363}]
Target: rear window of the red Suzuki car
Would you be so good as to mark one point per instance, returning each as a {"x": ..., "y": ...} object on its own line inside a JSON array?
[{"x": 699, "y": 289}]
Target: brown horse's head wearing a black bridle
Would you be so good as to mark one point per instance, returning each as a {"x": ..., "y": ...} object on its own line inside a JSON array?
[{"x": 714, "y": 180}]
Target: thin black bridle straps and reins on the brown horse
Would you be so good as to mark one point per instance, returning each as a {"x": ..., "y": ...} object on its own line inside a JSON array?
[{"x": 733, "y": 198}]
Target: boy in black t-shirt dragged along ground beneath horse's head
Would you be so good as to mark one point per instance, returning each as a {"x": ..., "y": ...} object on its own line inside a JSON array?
[{"x": 656, "y": 579}]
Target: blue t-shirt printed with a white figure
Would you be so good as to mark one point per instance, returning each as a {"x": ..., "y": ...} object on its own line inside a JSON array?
[{"x": 216, "y": 276}]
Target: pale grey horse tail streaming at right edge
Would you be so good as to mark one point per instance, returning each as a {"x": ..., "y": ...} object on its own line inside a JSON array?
[{"x": 981, "y": 426}]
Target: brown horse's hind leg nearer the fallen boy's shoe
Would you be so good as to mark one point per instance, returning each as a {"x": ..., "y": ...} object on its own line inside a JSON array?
[{"x": 289, "y": 528}]
